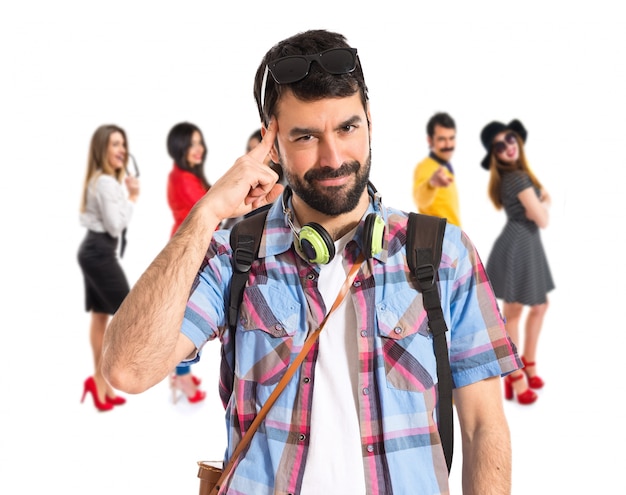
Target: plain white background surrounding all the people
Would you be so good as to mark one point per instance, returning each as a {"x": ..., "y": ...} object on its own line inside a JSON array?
[{"x": 69, "y": 66}]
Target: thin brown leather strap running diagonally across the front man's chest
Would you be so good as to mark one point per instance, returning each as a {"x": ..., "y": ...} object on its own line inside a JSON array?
[{"x": 306, "y": 347}]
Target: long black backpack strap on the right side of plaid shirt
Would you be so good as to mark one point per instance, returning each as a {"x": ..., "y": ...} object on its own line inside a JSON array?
[{"x": 423, "y": 252}]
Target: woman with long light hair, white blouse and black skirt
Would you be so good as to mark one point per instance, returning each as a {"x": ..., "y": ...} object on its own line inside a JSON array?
[{"x": 105, "y": 211}]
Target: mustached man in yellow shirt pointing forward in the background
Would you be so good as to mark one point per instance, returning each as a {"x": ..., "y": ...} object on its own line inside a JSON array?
[{"x": 434, "y": 189}]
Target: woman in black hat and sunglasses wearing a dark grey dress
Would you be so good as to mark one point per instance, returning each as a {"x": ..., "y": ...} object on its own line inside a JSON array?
[{"x": 517, "y": 265}]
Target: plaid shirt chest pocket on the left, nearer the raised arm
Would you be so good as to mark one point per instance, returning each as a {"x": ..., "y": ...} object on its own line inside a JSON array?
[{"x": 269, "y": 320}]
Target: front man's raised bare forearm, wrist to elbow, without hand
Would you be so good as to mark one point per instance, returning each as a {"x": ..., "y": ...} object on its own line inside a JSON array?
[{"x": 142, "y": 343}]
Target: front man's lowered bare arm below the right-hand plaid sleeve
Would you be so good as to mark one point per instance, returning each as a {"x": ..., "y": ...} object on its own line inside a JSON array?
[{"x": 485, "y": 436}]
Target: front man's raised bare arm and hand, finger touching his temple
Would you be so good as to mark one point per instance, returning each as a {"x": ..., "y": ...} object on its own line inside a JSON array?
[{"x": 143, "y": 342}]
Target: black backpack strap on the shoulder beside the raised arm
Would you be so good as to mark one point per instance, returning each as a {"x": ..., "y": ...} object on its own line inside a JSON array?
[{"x": 245, "y": 239}]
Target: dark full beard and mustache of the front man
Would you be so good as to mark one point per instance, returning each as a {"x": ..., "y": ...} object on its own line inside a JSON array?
[{"x": 332, "y": 201}]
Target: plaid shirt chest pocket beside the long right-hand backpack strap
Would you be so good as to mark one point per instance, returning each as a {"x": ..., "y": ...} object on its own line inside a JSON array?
[{"x": 406, "y": 343}]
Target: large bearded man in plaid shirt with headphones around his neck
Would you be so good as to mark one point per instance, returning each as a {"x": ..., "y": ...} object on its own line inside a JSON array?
[{"x": 359, "y": 414}]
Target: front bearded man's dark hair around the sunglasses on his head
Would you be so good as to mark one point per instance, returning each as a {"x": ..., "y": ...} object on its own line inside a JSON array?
[{"x": 318, "y": 84}]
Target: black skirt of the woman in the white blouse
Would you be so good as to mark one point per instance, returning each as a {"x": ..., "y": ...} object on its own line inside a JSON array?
[{"x": 106, "y": 285}]
